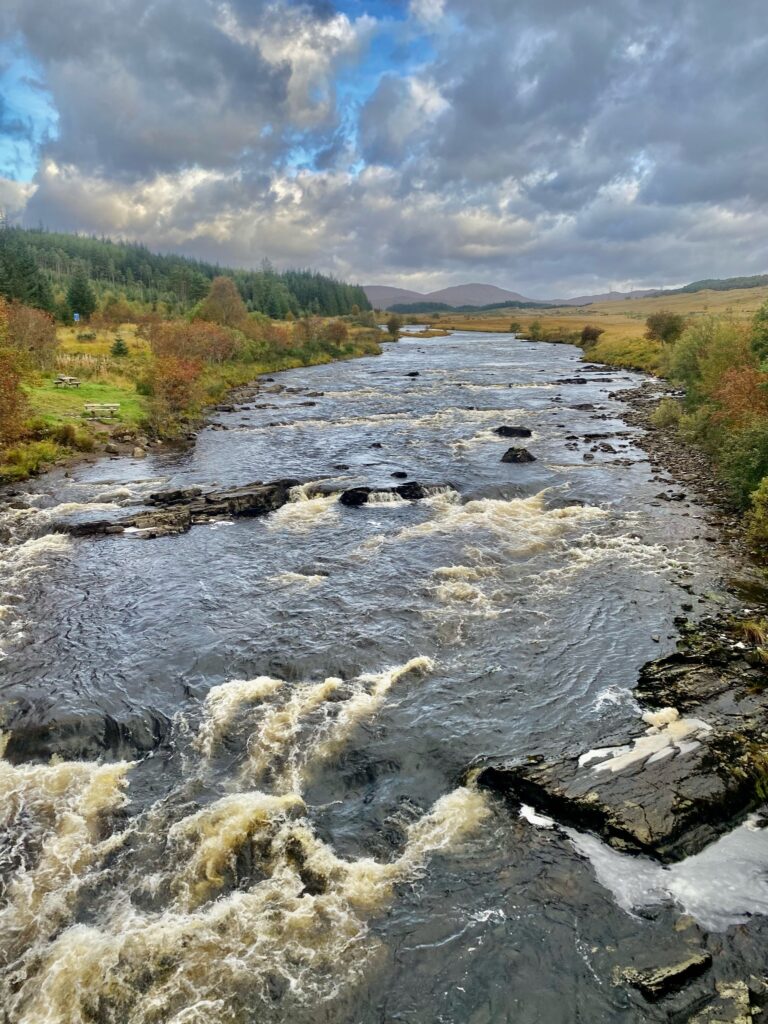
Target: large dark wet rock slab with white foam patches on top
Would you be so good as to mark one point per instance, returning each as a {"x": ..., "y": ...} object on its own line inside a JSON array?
[{"x": 696, "y": 766}]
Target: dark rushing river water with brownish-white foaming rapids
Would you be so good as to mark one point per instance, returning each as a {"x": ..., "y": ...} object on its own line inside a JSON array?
[{"x": 302, "y": 847}]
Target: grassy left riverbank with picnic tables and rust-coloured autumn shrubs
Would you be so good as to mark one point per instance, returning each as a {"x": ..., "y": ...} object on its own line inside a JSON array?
[{"x": 160, "y": 385}]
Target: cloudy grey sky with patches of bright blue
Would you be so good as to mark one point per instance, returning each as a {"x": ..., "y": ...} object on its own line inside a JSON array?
[{"x": 556, "y": 148}]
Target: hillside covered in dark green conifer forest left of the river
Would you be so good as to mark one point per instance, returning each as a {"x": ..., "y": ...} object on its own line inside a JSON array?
[{"x": 38, "y": 267}]
